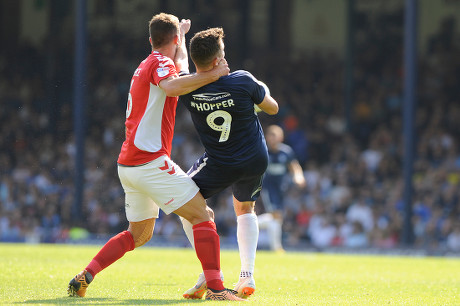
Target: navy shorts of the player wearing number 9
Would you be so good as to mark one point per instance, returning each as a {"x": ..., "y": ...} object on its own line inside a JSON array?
[{"x": 245, "y": 179}]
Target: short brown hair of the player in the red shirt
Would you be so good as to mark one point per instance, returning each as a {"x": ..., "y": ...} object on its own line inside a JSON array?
[{"x": 162, "y": 28}]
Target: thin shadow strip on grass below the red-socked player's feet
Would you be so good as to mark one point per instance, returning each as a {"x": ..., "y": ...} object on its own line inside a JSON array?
[{"x": 108, "y": 301}]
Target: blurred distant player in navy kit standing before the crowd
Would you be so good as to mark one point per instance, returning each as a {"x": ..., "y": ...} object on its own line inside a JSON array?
[{"x": 282, "y": 162}]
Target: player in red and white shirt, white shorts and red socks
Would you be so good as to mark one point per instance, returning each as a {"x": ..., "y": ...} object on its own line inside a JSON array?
[{"x": 150, "y": 179}]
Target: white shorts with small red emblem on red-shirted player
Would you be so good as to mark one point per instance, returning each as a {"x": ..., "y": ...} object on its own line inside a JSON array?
[{"x": 158, "y": 184}]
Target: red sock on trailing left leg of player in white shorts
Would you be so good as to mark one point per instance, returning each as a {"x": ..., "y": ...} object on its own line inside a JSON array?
[{"x": 113, "y": 250}]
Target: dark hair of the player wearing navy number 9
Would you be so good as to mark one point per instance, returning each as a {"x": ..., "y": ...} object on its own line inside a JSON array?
[{"x": 205, "y": 46}]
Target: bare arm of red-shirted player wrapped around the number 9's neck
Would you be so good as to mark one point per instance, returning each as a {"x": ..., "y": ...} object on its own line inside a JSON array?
[{"x": 176, "y": 86}]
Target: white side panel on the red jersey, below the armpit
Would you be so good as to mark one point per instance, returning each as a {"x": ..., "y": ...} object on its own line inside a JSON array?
[{"x": 148, "y": 135}]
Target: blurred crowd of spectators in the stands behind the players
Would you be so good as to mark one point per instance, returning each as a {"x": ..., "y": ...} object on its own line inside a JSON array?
[{"x": 354, "y": 170}]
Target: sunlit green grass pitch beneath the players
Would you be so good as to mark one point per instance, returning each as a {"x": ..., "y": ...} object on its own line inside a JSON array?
[{"x": 39, "y": 274}]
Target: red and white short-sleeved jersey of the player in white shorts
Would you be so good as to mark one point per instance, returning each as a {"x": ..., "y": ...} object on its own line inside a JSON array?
[{"x": 150, "y": 114}]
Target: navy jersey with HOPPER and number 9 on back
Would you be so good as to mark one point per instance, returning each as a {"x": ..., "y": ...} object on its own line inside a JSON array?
[{"x": 224, "y": 117}]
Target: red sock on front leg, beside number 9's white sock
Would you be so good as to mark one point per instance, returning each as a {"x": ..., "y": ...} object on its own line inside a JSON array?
[{"x": 207, "y": 248}]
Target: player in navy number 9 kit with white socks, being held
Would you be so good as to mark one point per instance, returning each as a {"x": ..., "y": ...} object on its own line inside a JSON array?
[{"x": 236, "y": 154}]
